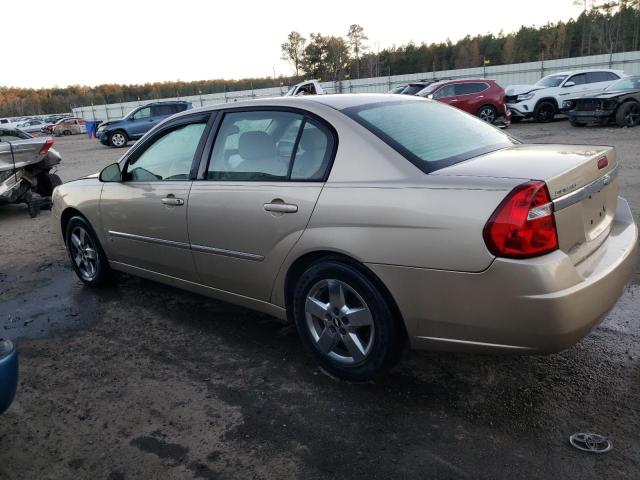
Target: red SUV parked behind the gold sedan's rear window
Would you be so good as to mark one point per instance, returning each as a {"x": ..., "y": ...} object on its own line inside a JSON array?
[{"x": 480, "y": 97}]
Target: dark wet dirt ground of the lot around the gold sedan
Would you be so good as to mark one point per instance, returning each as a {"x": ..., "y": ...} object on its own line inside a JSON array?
[{"x": 146, "y": 381}]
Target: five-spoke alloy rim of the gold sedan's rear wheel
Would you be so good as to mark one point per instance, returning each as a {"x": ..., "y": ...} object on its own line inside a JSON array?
[{"x": 339, "y": 321}]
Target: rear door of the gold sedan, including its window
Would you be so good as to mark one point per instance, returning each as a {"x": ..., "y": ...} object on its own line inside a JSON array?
[{"x": 262, "y": 180}]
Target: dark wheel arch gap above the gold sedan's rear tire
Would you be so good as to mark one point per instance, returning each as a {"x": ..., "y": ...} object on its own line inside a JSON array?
[{"x": 300, "y": 264}]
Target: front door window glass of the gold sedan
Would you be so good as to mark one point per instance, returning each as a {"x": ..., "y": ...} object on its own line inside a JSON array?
[{"x": 169, "y": 157}]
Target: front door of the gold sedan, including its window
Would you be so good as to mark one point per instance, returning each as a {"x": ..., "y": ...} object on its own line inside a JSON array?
[{"x": 144, "y": 216}]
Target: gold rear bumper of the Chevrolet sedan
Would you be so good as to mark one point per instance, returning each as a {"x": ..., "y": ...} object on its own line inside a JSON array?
[{"x": 544, "y": 304}]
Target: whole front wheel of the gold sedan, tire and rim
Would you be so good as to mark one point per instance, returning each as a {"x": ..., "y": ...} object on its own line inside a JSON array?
[{"x": 85, "y": 252}]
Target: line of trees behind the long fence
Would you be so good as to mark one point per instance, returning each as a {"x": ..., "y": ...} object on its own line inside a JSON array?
[{"x": 610, "y": 27}]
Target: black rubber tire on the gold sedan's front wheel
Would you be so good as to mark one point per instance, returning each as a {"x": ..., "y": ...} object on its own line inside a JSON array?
[{"x": 103, "y": 274}]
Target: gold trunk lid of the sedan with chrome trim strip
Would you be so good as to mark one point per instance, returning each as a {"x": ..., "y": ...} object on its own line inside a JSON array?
[{"x": 584, "y": 192}]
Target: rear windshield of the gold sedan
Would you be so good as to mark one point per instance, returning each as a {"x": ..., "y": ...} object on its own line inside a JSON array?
[{"x": 429, "y": 134}]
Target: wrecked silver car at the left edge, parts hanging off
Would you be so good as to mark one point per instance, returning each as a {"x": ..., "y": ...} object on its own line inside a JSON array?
[{"x": 26, "y": 169}]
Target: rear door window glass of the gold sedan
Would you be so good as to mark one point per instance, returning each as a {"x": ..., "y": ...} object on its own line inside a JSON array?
[{"x": 259, "y": 145}]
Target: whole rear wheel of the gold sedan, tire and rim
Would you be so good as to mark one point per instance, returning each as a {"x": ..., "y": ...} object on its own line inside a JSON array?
[{"x": 385, "y": 342}]
